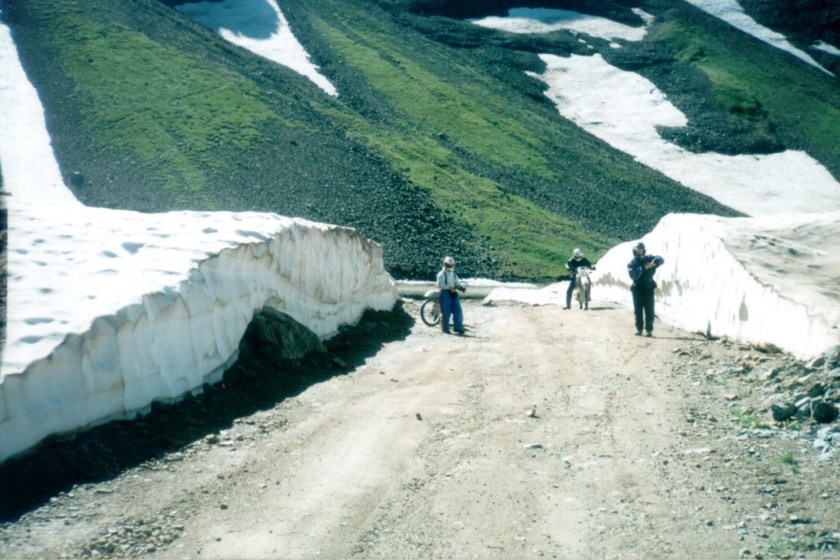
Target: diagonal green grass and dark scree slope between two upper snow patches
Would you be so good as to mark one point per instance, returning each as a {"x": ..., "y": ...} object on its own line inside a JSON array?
[{"x": 507, "y": 166}]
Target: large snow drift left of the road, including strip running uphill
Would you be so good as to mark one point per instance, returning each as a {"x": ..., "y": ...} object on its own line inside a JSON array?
[{"x": 109, "y": 310}]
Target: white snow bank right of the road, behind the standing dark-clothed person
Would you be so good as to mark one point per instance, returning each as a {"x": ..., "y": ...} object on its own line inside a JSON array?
[{"x": 759, "y": 280}]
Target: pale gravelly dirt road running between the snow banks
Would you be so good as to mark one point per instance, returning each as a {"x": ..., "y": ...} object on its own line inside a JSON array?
[{"x": 544, "y": 433}]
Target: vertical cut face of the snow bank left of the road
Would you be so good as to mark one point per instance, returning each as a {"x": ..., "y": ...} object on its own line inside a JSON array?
[{"x": 174, "y": 341}]
